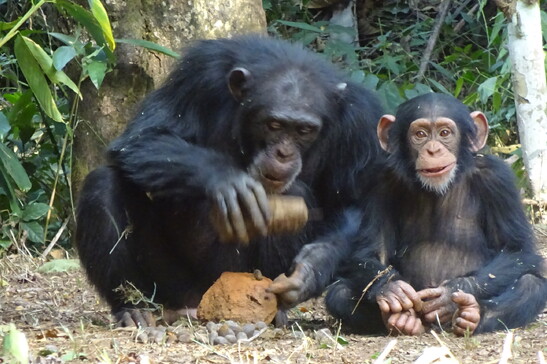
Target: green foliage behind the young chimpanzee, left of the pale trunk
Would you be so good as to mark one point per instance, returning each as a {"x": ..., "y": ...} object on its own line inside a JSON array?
[{"x": 469, "y": 60}]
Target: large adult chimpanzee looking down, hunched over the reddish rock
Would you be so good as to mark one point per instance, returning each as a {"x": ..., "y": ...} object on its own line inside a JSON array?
[{"x": 235, "y": 121}]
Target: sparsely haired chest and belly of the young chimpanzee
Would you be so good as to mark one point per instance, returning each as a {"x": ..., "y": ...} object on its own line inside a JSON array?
[{"x": 439, "y": 238}]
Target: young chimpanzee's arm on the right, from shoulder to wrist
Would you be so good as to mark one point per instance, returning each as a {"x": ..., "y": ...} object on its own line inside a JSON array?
[{"x": 506, "y": 229}]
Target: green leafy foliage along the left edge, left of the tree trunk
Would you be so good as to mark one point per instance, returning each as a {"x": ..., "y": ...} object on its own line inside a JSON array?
[{"x": 38, "y": 110}]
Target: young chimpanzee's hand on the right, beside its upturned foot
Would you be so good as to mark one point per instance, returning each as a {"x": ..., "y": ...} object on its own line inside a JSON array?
[{"x": 438, "y": 304}]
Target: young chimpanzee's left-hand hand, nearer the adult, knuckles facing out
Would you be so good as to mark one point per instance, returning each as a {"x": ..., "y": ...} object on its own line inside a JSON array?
[{"x": 398, "y": 296}]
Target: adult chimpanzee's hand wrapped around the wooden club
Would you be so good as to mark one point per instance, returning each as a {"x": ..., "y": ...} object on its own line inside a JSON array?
[{"x": 237, "y": 197}]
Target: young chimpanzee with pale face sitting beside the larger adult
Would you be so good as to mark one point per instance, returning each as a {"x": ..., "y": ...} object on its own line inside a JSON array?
[{"x": 444, "y": 238}]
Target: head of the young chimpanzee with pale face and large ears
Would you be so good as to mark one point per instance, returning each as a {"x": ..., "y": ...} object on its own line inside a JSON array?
[{"x": 435, "y": 139}]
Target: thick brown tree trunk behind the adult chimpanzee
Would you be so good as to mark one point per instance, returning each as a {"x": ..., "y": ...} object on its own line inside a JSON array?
[{"x": 103, "y": 114}]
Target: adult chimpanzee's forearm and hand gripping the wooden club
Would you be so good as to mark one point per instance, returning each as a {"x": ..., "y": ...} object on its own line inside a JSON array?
[{"x": 160, "y": 162}]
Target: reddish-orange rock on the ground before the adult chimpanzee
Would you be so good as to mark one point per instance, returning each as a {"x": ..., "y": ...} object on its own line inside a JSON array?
[{"x": 239, "y": 297}]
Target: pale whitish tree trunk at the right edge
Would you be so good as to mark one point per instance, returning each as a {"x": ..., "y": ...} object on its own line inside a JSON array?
[{"x": 529, "y": 86}]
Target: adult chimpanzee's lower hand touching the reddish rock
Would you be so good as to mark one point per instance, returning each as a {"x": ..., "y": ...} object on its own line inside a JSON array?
[{"x": 292, "y": 290}]
